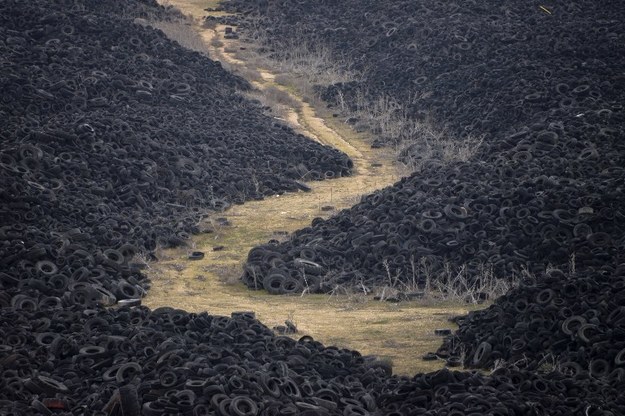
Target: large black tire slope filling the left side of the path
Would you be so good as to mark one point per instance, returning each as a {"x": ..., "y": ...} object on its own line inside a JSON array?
[{"x": 115, "y": 140}]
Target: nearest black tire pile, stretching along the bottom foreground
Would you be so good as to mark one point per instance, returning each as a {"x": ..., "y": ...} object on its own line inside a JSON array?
[{"x": 133, "y": 361}]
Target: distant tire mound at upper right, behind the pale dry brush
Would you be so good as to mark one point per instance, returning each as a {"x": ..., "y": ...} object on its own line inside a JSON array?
[{"x": 476, "y": 66}]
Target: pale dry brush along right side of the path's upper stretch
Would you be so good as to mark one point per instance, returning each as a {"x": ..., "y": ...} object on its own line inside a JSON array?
[{"x": 304, "y": 66}]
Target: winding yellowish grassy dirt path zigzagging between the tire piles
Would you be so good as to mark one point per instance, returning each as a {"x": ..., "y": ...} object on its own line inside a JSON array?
[{"x": 399, "y": 332}]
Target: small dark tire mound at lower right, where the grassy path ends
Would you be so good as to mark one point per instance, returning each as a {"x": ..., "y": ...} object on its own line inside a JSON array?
[{"x": 575, "y": 322}]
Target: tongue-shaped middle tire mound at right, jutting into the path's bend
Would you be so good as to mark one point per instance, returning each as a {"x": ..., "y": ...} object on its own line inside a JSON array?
[{"x": 466, "y": 218}]
